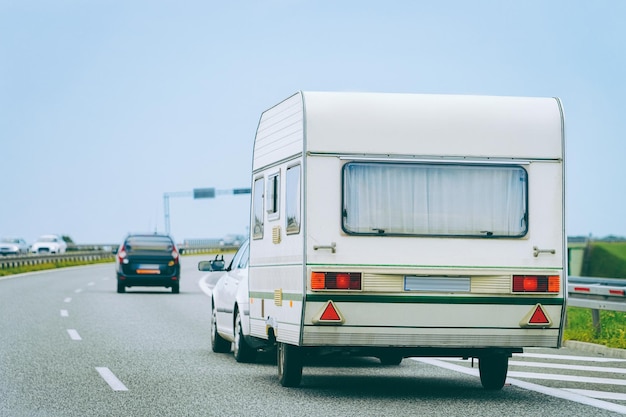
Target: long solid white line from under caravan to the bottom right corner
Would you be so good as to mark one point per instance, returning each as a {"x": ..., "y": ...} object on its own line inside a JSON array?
[{"x": 554, "y": 392}]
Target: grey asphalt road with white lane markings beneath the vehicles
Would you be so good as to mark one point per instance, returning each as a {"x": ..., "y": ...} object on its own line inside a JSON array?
[{"x": 71, "y": 346}]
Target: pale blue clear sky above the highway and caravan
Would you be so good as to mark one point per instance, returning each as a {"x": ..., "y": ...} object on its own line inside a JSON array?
[{"x": 105, "y": 105}]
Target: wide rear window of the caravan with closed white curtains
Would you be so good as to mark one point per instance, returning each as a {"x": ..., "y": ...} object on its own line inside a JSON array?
[{"x": 435, "y": 199}]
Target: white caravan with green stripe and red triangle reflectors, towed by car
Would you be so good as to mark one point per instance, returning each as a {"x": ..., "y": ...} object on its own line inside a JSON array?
[{"x": 398, "y": 225}]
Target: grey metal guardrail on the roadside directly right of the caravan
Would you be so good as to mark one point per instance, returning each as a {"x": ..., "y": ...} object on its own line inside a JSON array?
[{"x": 597, "y": 293}]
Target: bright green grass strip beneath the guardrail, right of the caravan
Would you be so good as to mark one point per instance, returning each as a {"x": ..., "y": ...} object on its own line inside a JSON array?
[{"x": 580, "y": 327}]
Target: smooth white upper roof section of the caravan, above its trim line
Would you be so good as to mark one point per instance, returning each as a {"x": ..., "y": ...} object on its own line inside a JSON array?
[{"x": 405, "y": 124}]
